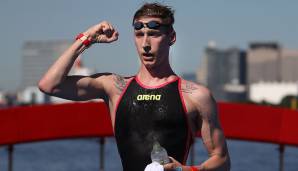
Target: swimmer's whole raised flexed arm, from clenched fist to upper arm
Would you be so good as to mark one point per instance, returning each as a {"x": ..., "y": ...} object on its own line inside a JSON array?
[{"x": 55, "y": 82}]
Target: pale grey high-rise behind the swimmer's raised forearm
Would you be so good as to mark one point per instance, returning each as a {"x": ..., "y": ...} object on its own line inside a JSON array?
[{"x": 38, "y": 56}]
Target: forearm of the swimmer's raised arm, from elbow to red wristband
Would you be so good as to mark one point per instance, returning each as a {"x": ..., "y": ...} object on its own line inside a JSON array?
[{"x": 59, "y": 70}]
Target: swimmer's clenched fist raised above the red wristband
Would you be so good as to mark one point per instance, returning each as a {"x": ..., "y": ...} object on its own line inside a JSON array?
[{"x": 103, "y": 32}]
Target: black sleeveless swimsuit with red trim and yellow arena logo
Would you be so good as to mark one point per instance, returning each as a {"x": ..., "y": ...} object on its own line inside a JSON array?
[{"x": 145, "y": 114}]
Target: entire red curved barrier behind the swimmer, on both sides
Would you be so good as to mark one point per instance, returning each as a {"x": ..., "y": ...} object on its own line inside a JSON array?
[{"x": 47, "y": 122}]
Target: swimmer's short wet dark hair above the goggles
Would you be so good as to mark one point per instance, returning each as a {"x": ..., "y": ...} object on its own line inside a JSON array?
[{"x": 157, "y": 10}]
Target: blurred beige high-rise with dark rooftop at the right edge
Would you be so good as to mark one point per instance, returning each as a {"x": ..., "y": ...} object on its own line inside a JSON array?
[{"x": 268, "y": 62}]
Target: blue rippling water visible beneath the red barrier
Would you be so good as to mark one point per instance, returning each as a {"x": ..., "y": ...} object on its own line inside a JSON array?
[{"x": 83, "y": 155}]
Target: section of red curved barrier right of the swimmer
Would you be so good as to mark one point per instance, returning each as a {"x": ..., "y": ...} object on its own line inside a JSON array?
[{"x": 259, "y": 123}]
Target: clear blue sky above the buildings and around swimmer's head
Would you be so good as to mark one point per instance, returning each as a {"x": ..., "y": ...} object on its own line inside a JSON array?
[{"x": 229, "y": 23}]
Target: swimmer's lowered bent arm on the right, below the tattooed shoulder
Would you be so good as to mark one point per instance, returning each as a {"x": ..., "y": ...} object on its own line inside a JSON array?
[{"x": 212, "y": 134}]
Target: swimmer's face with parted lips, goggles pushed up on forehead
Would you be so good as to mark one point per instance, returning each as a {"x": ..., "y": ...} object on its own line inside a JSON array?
[{"x": 152, "y": 41}]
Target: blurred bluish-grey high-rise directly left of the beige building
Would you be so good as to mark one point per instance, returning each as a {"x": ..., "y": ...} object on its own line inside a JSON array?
[{"x": 225, "y": 73}]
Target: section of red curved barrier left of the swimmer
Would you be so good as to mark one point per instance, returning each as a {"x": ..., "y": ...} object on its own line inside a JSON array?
[{"x": 47, "y": 122}]
